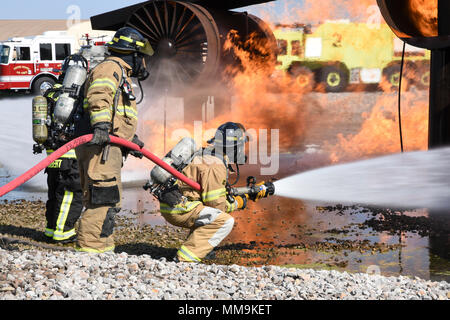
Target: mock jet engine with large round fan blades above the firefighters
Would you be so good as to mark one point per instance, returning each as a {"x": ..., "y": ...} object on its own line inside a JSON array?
[{"x": 188, "y": 37}]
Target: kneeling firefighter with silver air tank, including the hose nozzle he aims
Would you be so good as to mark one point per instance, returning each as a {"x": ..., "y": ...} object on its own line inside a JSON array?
[{"x": 205, "y": 213}]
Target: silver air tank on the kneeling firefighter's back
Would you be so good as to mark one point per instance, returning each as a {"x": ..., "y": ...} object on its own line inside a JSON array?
[{"x": 178, "y": 157}]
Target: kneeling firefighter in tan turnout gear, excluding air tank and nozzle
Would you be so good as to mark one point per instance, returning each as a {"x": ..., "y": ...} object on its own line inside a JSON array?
[{"x": 207, "y": 213}]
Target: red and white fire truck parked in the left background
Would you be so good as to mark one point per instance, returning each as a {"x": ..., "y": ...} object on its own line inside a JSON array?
[{"x": 26, "y": 63}]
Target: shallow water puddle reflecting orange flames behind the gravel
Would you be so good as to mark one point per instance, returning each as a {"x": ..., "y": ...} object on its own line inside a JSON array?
[{"x": 293, "y": 233}]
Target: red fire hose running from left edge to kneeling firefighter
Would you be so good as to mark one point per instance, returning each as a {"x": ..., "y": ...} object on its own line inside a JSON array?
[{"x": 85, "y": 139}]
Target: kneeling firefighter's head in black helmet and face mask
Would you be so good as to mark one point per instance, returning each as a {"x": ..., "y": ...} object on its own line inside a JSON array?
[{"x": 230, "y": 139}]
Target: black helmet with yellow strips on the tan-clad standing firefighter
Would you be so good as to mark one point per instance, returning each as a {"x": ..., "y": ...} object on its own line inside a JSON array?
[{"x": 129, "y": 40}]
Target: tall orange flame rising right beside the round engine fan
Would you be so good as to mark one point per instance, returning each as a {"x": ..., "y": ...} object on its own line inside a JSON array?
[{"x": 264, "y": 101}]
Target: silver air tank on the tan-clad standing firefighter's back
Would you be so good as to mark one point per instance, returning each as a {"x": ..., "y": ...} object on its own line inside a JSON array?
[{"x": 73, "y": 80}]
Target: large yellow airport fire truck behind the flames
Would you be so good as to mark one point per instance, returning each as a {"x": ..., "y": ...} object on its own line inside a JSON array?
[{"x": 336, "y": 54}]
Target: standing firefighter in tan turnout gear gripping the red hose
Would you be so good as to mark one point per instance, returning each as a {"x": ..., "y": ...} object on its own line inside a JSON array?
[{"x": 110, "y": 108}]
